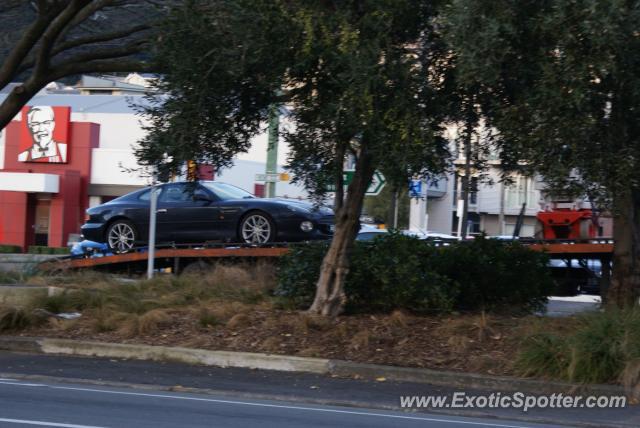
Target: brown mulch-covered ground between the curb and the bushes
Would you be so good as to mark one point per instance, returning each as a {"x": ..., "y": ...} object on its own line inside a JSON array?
[{"x": 472, "y": 343}]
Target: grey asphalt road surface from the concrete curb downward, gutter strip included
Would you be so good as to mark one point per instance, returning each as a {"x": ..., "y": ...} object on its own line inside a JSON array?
[{"x": 73, "y": 392}]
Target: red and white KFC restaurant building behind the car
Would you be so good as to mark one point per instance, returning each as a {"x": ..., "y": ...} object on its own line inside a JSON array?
[{"x": 72, "y": 148}]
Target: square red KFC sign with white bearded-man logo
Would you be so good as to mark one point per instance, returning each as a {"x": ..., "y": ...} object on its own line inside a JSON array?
[{"x": 45, "y": 134}]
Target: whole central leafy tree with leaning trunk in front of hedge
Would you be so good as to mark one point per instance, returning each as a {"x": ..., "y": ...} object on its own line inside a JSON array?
[{"x": 357, "y": 74}]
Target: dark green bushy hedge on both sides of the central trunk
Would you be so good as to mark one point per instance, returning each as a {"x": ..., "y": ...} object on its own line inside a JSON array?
[{"x": 401, "y": 272}]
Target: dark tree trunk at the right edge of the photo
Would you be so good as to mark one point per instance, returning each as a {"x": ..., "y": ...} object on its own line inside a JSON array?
[{"x": 625, "y": 282}]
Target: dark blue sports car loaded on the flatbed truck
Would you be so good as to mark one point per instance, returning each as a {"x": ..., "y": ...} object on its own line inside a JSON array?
[{"x": 205, "y": 211}]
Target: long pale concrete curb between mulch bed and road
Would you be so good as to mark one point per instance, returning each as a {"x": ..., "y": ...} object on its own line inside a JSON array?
[{"x": 298, "y": 364}]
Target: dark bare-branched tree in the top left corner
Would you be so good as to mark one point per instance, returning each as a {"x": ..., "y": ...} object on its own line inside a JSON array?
[{"x": 61, "y": 38}]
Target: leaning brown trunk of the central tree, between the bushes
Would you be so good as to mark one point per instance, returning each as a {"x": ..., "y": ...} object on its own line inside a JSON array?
[{"x": 330, "y": 296}]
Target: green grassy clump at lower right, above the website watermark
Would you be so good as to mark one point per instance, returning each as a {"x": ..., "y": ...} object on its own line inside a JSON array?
[{"x": 602, "y": 347}]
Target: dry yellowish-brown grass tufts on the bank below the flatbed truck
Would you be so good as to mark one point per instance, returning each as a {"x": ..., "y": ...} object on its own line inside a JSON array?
[{"x": 143, "y": 307}]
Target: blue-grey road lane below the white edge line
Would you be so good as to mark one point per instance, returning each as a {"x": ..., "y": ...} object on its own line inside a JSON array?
[{"x": 80, "y": 406}]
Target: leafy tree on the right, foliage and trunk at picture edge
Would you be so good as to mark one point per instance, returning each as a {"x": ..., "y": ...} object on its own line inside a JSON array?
[{"x": 564, "y": 91}]
